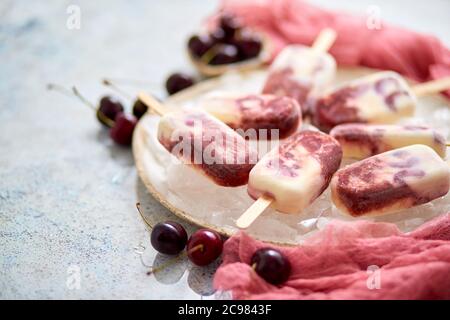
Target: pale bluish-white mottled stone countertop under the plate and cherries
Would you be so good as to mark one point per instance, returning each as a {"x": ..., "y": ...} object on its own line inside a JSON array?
[{"x": 68, "y": 225}]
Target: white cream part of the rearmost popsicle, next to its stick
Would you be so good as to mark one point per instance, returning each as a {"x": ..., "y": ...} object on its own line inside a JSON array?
[{"x": 310, "y": 67}]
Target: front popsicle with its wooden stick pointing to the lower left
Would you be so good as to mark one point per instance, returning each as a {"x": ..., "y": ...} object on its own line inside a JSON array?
[{"x": 293, "y": 175}]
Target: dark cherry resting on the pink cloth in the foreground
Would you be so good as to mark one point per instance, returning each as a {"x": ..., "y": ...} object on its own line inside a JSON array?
[{"x": 271, "y": 265}]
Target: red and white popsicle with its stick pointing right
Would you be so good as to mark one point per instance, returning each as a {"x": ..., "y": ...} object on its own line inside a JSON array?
[{"x": 382, "y": 97}]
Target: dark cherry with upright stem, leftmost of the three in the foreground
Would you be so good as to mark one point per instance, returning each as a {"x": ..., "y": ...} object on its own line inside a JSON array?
[{"x": 168, "y": 237}]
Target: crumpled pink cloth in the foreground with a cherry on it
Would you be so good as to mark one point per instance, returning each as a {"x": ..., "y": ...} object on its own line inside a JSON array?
[{"x": 333, "y": 264}]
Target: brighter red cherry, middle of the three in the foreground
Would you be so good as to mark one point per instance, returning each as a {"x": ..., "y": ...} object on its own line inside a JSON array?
[{"x": 204, "y": 246}]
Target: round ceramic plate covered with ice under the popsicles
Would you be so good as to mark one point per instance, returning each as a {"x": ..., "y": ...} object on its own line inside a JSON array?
[{"x": 194, "y": 198}]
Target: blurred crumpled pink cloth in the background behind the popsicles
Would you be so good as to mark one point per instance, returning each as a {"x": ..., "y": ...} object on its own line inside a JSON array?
[{"x": 418, "y": 56}]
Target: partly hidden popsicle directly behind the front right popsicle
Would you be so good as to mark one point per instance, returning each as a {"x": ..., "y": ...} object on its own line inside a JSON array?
[{"x": 360, "y": 141}]
